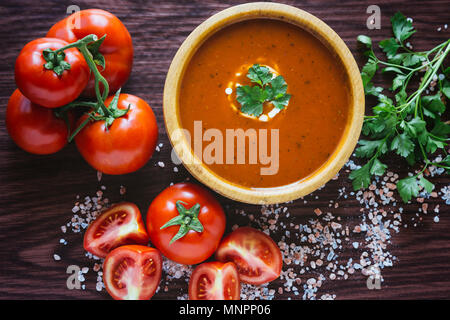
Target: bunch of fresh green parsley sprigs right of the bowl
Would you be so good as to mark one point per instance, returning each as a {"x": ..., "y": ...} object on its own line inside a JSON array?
[{"x": 409, "y": 123}]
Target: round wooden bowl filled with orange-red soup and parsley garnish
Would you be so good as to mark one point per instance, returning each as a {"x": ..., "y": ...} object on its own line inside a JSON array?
[{"x": 263, "y": 103}]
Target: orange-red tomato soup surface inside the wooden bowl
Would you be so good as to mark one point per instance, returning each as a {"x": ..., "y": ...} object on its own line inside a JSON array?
[{"x": 308, "y": 129}]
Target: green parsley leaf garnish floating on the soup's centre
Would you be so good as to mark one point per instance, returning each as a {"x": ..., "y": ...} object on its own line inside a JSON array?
[{"x": 267, "y": 89}]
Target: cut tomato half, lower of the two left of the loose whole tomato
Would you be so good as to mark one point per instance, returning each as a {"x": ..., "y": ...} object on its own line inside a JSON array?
[{"x": 132, "y": 272}]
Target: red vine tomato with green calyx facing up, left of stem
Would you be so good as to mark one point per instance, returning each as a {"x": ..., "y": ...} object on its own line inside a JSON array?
[{"x": 43, "y": 86}]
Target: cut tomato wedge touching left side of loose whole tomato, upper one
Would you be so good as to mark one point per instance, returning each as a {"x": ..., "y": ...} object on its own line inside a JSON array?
[{"x": 119, "y": 225}]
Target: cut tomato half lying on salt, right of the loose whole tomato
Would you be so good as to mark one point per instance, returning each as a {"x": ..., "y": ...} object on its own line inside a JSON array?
[{"x": 255, "y": 254}]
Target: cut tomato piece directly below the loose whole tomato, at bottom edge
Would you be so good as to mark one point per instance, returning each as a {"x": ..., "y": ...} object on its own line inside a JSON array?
[{"x": 215, "y": 281}]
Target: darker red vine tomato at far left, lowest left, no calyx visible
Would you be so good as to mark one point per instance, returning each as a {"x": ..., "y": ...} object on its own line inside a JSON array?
[{"x": 33, "y": 128}]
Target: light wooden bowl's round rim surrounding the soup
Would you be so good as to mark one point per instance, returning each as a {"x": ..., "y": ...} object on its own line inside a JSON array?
[{"x": 307, "y": 22}]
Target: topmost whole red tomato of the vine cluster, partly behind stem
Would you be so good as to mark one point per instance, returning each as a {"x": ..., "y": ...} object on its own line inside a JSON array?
[{"x": 117, "y": 47}]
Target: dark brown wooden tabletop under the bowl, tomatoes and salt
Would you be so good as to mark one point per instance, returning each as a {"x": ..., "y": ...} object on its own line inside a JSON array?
[{"x": 37, "y": 192}]
